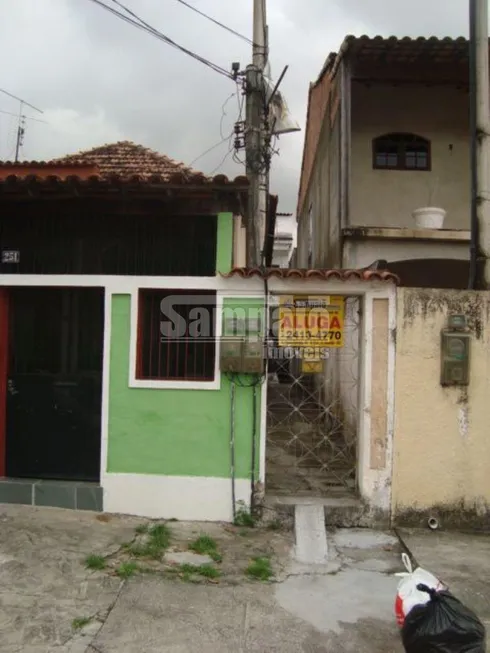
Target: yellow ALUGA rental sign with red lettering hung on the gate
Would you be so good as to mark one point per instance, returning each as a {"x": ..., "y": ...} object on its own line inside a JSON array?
[{"x": 311, "y": 321}]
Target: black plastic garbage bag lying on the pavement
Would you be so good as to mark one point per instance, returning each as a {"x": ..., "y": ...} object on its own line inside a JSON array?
[{"x": 443, "y": 625}]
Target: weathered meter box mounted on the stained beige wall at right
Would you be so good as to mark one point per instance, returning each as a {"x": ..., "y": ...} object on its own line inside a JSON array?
[{"x": 455, "y": 352}]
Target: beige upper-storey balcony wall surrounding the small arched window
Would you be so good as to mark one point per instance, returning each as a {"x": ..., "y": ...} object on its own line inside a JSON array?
[{"x": 388, "y": 197}]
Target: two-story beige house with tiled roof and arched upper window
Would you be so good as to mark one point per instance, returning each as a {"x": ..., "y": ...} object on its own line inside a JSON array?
[{"x": 387, "y": 134}]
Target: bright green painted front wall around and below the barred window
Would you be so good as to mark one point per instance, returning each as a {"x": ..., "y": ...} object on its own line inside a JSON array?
[{"x": 173, "y": 432}]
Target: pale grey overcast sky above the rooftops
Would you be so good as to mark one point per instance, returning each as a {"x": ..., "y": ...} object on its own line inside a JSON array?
[{"x": 99, "y": 80}]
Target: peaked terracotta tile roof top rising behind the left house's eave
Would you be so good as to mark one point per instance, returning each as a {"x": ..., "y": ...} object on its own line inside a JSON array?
[{"x": 126, "y": 159}]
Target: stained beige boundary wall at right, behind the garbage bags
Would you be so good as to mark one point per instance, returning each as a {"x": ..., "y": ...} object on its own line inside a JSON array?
[{"x": 442, "y": 443}]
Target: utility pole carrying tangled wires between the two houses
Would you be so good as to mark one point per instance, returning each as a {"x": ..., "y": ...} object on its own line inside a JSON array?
[{"x": 255, "y": 137}]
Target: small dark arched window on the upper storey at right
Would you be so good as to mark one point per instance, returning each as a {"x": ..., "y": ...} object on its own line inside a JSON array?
[{"x": 401, "y": 152}]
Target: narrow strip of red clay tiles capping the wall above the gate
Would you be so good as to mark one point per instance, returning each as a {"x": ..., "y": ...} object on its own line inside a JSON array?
[{"x": 297, "y": 273}]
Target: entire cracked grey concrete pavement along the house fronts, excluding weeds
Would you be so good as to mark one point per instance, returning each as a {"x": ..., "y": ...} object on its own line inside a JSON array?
[{"x": 345, "y": 605}]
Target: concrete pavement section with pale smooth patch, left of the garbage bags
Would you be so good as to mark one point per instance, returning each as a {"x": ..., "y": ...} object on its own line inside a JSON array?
[{"x": 344, "y": 606}]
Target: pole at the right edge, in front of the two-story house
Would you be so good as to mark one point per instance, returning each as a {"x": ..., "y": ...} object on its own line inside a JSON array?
[{"x": 479, "y": 32}]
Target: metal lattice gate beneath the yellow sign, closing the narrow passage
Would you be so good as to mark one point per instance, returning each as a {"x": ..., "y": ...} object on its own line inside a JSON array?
[{"x": 312, "y": 419}]
